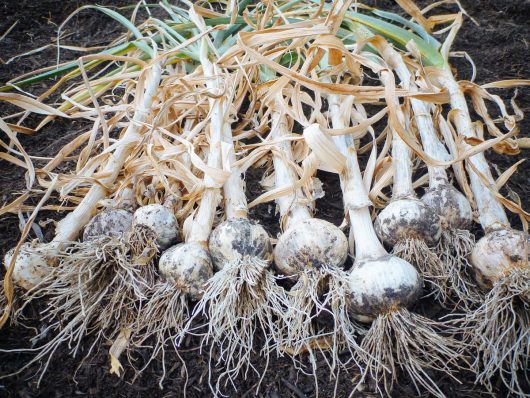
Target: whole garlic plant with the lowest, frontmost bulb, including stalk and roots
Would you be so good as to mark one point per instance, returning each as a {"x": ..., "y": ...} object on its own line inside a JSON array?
[{"x": 379, "y": 289}]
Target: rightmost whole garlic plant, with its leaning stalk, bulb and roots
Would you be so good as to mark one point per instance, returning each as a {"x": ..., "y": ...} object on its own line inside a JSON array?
[{"x": 500, "y": 328}]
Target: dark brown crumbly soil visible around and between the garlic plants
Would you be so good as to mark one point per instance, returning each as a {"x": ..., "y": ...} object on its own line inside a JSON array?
[{"x": 500, "y": 49}]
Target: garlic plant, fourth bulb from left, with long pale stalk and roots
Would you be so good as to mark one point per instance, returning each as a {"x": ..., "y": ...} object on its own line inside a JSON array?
[{"x": 186, "y": 267}]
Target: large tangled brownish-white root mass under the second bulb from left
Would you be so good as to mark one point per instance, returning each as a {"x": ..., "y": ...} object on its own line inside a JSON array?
[{"x": 93, "y": 290}]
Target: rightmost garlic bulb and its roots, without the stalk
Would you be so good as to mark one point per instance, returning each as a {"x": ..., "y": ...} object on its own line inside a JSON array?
[{"x": 499, "y": 329}]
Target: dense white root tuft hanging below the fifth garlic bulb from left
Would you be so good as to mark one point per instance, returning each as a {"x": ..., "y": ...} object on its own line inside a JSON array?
[{"x": 240, "y": 300}]
